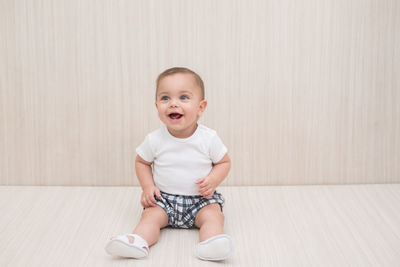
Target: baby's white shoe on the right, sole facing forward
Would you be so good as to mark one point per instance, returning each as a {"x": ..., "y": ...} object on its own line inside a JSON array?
[{"x": 216, "y": 248}]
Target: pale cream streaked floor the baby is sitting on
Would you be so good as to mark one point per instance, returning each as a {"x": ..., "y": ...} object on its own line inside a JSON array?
[{"x": 351, "y": 225}]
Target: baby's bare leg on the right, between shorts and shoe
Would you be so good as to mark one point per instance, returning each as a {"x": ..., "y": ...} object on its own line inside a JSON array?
[{"x": 210, "y": 220}]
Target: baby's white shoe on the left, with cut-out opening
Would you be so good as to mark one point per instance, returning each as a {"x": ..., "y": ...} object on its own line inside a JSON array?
[{"x": 128, "y": 245}]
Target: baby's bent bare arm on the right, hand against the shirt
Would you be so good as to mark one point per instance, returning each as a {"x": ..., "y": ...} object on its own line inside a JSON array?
[{"x": 208, "y": 184}]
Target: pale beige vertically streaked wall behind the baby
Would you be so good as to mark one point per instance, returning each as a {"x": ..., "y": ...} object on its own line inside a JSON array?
[{"x": 301, "y": 92}]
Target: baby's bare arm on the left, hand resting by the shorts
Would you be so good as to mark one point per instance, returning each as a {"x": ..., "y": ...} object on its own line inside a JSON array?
[{"x": 145, "y": 176}]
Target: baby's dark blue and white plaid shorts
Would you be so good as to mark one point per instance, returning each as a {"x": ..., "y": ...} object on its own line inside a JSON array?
[{"x": 182, "y": 210}]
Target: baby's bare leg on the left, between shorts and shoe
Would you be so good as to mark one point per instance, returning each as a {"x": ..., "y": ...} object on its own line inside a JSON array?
[{"x": 152, "y": 220}]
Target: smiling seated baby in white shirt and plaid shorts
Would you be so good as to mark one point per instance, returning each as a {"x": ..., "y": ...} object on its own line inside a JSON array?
[{"x": 179, "y": 167}]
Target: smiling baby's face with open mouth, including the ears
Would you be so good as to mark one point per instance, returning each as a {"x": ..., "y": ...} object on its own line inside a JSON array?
[{"x": 179, "y": 104}]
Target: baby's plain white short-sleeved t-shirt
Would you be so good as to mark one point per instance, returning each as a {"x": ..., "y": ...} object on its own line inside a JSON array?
[{"x": 179, "y": 162}]
